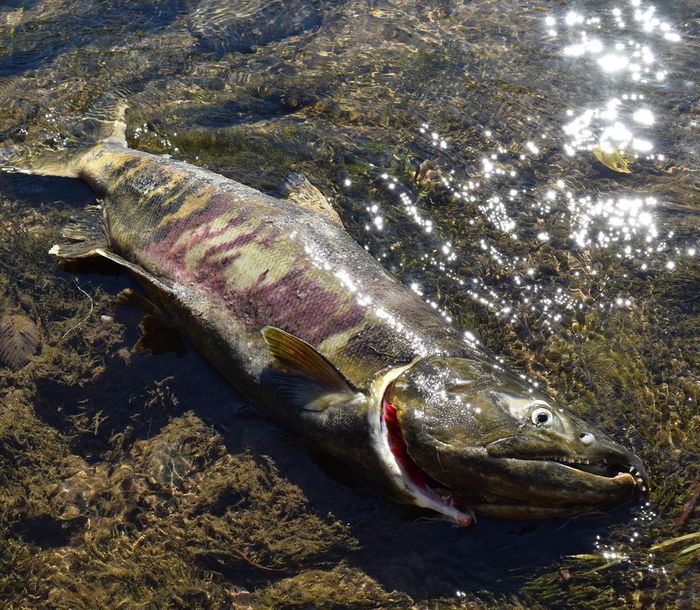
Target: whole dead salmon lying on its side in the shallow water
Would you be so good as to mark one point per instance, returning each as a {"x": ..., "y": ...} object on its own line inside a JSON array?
[{"x": 309, "y": 327}]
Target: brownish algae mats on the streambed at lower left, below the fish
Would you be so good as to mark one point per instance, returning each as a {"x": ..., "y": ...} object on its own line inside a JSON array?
[{"x": 155, "y": 519}]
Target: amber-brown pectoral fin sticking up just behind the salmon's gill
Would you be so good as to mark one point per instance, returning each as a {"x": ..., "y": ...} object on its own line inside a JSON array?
[{"x": 303, "y": 376}]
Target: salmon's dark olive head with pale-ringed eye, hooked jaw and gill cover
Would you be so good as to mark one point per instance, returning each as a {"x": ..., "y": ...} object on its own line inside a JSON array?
[{"x": 467, "y": 433}]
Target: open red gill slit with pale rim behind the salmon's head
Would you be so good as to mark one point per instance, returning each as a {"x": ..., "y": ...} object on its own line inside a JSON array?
[{"x": 425, "y": 491}]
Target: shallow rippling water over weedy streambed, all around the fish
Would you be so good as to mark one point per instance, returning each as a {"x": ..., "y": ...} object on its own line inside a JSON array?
[{"x": 474, "y": 148}]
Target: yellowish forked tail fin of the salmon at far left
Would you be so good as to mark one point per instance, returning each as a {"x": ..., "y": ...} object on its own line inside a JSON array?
[{"x": 104, "y": 123}]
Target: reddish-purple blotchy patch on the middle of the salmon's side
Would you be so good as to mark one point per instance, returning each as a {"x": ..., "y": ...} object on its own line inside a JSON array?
[{"x": 296, "y": 302}]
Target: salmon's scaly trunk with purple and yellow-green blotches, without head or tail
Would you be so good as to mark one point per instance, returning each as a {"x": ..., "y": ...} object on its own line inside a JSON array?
[{"x": 264, "y": 261}]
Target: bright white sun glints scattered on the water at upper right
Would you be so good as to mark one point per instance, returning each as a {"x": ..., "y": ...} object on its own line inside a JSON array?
[{"x": 617, "y": 132}]
